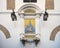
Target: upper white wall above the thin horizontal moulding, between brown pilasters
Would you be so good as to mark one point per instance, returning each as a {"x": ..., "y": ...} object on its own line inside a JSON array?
[{"x": 19, "y": 3}]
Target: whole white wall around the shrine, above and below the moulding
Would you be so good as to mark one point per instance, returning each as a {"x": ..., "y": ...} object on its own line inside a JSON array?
[{"x": 43, "y": 27}]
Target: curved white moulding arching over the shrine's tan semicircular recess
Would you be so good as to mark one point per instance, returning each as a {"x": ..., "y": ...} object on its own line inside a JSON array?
[{"x": 29, "y": 6}]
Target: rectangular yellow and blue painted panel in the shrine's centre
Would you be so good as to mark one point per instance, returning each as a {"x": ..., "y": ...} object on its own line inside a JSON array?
[{"x": 29, "y": 25}]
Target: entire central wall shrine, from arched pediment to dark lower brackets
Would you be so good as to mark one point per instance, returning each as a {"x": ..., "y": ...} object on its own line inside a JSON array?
[{"x": 29, "y": 11}]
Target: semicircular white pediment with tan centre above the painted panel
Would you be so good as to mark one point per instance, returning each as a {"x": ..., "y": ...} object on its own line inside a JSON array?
[{"x": 29, "y": 8}]
